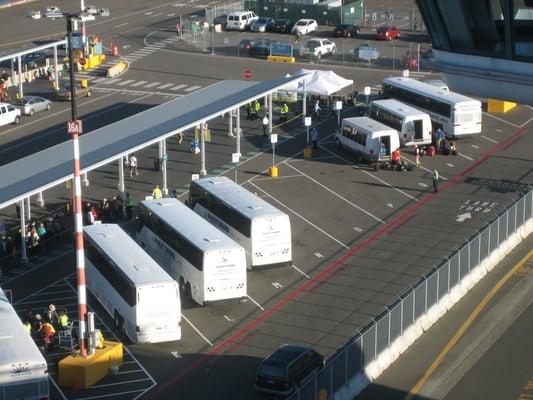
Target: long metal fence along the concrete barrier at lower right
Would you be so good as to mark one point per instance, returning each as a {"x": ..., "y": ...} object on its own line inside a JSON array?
[{"x": 378, "y": 334}]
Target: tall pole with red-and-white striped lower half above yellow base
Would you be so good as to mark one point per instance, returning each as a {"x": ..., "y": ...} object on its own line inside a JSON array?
[{"x": 74, "y": 128}]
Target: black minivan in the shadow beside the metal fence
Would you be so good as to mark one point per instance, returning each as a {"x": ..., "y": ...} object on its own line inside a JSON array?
[{"x": 288, "y": 367}]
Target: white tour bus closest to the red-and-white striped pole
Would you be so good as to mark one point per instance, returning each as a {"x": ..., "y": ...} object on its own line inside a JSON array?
[{"x": 142, "y": 298}]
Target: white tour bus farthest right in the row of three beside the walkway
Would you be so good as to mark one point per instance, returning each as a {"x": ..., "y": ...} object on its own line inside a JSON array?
[{"x": 263, "y": 230}]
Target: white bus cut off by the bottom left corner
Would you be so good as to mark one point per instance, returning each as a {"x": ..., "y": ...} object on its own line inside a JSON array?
[{"x": 23, "y": 369}]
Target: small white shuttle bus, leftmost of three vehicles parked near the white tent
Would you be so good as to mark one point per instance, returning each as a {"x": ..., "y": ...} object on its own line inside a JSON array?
[{"x": 369, "y": 140}]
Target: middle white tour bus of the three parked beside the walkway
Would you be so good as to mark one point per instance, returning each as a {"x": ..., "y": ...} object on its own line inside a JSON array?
[{"x": 208, "y": 264}]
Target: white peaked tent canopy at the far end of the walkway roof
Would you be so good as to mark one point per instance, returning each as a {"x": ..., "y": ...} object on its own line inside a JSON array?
[{"x": 319, "y": 82}]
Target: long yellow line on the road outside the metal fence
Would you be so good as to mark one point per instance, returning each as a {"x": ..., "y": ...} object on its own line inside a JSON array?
[{"x": 464, "y": 328}]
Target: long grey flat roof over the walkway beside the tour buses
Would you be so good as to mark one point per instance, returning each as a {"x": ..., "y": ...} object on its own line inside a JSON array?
[{"x": 50, "y": 167}]
